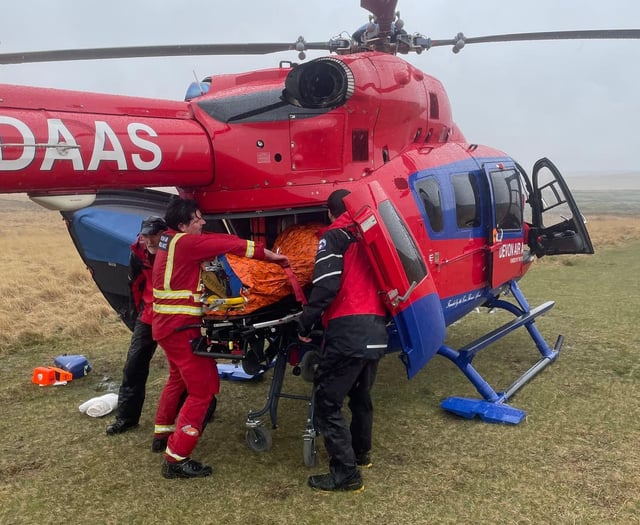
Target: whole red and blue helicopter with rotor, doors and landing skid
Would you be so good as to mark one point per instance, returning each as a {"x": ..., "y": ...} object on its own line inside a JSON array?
[{"x": 450, "y": 226}]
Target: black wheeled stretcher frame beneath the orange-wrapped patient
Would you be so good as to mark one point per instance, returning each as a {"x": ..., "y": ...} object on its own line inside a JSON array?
[{"x": 260, "y": 341}]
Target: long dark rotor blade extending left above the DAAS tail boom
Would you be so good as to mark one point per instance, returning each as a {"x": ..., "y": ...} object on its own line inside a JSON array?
[{"x": 157, "y": 51}]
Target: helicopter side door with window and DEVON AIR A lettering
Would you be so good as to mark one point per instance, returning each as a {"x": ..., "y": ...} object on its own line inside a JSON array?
[{"x": 506, "y": 243}]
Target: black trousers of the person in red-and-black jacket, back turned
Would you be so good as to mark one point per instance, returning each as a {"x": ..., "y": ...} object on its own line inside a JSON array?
[{"x": 337, "y": 377}]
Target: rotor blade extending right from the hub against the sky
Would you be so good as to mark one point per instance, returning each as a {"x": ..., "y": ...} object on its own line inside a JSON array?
[{"x": 588, "y": 34}]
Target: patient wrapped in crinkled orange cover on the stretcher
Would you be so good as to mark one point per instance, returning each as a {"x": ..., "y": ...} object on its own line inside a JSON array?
[{"x": 235, "y": 286}]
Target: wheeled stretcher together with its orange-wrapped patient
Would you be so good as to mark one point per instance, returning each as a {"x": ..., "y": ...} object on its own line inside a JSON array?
[{"x": 250, "y": 312}]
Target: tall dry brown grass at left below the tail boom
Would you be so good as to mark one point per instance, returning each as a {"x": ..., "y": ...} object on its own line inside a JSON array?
[{"x": 45, "y": 289}]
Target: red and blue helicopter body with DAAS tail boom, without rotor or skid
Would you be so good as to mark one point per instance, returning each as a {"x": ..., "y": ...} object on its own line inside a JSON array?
[{"x": 444, "y": 220}]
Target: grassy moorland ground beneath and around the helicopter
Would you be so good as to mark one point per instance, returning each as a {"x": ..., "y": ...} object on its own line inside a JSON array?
[{"x": 575, "y": 459}]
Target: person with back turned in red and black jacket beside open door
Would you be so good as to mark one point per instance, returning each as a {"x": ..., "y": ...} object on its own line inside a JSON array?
[{"x": 346, "y": 297}]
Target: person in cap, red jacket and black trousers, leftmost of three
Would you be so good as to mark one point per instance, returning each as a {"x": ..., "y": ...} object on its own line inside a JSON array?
[{"x": 142, "y": 347}]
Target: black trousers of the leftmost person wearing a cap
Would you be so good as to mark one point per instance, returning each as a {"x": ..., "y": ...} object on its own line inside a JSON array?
[{"x": 135, "y": 373}]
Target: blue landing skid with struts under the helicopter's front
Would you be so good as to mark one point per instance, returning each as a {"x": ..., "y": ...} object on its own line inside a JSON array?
[{"x": 493, "y": 408}]
